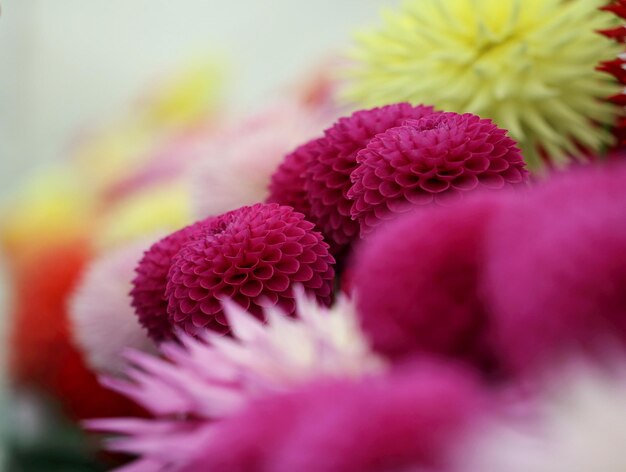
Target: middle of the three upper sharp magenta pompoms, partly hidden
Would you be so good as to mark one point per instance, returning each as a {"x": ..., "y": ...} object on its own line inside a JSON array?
[{"x": 328, "y": 175}]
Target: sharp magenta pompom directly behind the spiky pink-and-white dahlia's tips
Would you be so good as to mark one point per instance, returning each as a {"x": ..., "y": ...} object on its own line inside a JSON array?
[{"x": 254, "y": 256}]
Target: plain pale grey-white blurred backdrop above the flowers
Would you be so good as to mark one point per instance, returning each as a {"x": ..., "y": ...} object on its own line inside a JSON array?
[{"x": 69, "y": 64}]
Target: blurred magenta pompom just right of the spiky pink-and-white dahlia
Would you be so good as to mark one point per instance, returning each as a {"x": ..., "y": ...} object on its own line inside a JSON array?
[{"x": 416, "y": 282}]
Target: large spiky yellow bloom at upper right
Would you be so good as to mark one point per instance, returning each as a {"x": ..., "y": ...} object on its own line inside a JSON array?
[{"x": 527, "y": 64}]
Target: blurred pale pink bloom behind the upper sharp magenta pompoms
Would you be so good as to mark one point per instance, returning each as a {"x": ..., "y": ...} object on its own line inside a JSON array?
[{"x": 240, "y": 161}]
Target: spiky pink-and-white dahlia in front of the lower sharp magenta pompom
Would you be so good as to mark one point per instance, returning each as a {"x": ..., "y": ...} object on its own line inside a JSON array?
[{"x": 206, "y": 380}]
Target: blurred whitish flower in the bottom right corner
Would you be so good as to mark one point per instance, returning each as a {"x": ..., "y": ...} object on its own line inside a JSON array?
[{"x": 579, "y": 426}]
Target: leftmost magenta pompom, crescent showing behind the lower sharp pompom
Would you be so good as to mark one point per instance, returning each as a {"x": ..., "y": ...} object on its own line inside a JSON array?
[{"x": 148, "y": 292}]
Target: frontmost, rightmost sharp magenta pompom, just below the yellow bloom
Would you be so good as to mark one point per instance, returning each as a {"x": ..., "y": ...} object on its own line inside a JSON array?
[{"x": 435, "y": 159}]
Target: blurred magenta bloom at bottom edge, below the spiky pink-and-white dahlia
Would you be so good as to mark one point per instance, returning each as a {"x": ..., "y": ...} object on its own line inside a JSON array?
[{"x": 410, "y": 420}]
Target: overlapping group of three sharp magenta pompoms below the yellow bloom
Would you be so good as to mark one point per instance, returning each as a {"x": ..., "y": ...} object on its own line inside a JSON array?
[{"x": 377, "y": 163}]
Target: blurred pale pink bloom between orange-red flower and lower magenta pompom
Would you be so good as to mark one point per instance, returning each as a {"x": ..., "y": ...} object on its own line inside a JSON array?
[{"x": 102, "y": 321}]
